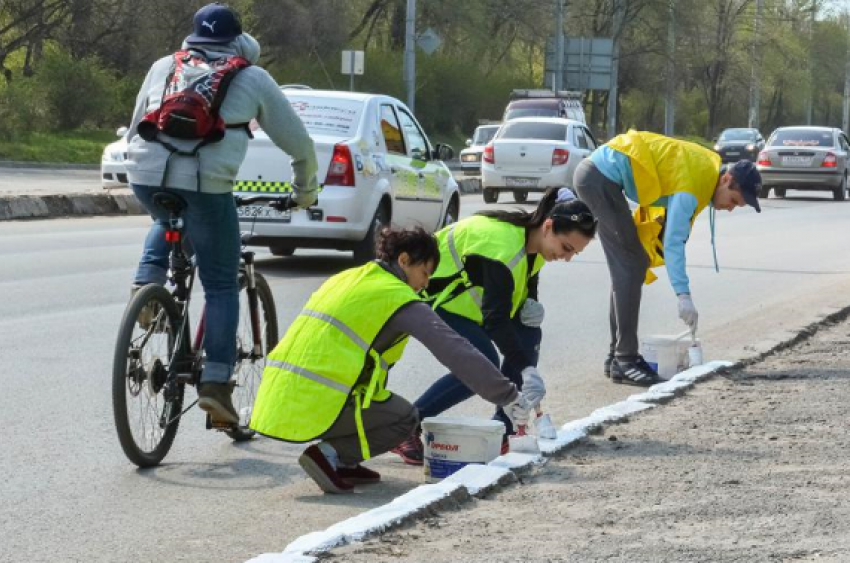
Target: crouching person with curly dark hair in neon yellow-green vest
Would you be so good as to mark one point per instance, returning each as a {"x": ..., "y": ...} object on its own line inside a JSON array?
[{"x": 327, "y": 377}]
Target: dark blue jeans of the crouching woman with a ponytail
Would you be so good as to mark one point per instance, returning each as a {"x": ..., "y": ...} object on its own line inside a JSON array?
[{"x": 449, "y": 391}]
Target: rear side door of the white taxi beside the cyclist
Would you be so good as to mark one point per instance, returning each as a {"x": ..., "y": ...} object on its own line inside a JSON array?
[{"x": 403, "y": 180}]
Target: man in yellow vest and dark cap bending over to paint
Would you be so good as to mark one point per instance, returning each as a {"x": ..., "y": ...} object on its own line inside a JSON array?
[{"x": 671, "y": 181}]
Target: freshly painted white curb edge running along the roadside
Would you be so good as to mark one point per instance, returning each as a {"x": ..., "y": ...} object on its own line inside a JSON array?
[{"x": 475, "y": 479}]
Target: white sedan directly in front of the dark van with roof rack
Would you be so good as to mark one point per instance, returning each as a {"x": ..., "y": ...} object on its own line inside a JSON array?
[{"x": 531, "y": 154}]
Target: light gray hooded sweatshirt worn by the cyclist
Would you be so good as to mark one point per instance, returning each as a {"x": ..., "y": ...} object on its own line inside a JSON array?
[{"x": 253, "y": 93}]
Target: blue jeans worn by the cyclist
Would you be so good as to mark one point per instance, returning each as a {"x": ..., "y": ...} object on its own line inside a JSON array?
[{"x": 212, "y": 226}]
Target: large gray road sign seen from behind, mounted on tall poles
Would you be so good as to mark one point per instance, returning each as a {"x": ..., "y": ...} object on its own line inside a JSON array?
[{"x": 587, "y": 62}]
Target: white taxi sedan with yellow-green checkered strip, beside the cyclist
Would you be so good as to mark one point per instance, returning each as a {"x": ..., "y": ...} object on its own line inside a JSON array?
[{"x": 376, "y": 166}]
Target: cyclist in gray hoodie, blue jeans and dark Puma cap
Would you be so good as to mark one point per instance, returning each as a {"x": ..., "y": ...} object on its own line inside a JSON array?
[{"x": 205, "y": 182}]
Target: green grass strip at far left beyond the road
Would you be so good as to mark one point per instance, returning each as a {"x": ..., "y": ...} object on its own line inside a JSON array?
[{"x": 75, "y": 147}]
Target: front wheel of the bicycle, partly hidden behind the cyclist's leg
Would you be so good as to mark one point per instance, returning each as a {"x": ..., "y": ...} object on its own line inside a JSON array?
[{"x": 248, "y": 371}]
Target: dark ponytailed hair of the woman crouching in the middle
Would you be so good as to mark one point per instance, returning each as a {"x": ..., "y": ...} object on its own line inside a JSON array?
[{"x": 567, "y": 216}]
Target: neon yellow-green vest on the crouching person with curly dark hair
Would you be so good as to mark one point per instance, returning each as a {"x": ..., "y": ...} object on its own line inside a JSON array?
[{"x": 326, "y": 356}]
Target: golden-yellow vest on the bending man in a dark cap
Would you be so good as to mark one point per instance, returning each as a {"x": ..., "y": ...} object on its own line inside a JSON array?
[{"x": 662, "y": 166}]
